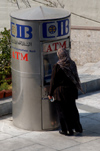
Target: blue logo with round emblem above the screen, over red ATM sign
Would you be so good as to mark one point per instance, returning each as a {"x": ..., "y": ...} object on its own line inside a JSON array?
[{"x": 55, "y": 29}]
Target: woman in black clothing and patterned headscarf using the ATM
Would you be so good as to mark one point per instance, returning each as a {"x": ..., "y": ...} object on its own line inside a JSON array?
[{"x": 64, "y": 87}]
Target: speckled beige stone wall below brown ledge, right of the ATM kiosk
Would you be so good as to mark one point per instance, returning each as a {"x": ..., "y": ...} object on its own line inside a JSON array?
[{"x": 85, "y": 45}]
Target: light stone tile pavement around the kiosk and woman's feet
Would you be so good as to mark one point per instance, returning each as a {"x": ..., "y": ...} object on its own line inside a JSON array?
[{"x": 15, "y": 139}]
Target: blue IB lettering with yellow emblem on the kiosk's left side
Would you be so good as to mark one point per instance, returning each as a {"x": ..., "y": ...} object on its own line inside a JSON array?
[{"x": 21, "y": 31}]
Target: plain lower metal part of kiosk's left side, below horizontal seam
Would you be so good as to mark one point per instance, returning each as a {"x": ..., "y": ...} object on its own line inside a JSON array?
[{"x": 26, "y": 101}]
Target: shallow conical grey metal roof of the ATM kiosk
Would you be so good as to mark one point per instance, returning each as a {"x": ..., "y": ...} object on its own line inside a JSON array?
[{"x": 40, "y": 13}]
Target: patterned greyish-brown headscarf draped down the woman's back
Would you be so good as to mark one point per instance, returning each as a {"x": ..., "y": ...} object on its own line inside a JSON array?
[{"x": 69, "y": 67}]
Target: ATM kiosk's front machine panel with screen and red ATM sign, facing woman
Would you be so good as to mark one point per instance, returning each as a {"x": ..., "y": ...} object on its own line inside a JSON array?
[{"x": 49, "y": 58}]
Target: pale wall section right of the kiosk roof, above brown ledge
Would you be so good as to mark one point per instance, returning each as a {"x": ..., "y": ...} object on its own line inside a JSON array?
[{"x": 87, "y": 8}]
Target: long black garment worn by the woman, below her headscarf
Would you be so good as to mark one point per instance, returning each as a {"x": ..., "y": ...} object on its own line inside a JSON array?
[{"x": 65, "y": 93}]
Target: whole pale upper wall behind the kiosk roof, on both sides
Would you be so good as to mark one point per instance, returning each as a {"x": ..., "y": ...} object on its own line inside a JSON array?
[{"x": 86, "y": 8}]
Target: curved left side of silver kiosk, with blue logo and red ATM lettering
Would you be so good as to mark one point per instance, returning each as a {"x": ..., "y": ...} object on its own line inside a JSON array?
[{"x": 26, "y": 75}]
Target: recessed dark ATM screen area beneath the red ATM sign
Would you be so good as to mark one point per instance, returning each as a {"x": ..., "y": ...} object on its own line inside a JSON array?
[{"x": 49, "y": 60}]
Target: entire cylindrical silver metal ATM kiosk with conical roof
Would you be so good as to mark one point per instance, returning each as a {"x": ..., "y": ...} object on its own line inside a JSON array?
[{"x": 36, "y": 34}]
